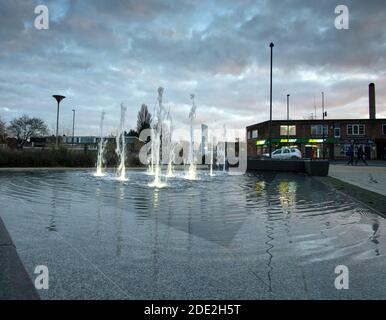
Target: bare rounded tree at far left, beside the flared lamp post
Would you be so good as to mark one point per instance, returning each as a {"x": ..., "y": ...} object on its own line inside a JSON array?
[{"x": 24, "y": 128}]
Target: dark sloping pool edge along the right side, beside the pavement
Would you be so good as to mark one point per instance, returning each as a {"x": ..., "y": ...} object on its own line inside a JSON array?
[{"x": 374, "y": 201}]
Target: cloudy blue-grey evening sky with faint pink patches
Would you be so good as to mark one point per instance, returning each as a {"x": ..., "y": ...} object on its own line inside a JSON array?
[{"x": 101, "y": 53}]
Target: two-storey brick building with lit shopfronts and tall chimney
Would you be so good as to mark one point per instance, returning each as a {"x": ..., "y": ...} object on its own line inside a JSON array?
[{"x": 311, "y": 136}]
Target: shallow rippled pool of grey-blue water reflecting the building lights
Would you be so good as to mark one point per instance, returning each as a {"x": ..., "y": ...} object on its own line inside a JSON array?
[{"x": 255, "y": 236}]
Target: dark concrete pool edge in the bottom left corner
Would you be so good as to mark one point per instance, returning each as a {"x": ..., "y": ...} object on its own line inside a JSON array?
[{"x": 15, "y": 283}]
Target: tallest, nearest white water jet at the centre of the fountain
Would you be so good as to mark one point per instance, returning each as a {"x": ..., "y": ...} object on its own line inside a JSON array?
[{"x": 156, "y": 142}]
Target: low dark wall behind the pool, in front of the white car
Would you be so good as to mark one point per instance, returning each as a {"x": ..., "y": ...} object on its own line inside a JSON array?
[{"x": 311, "y": 167}]
